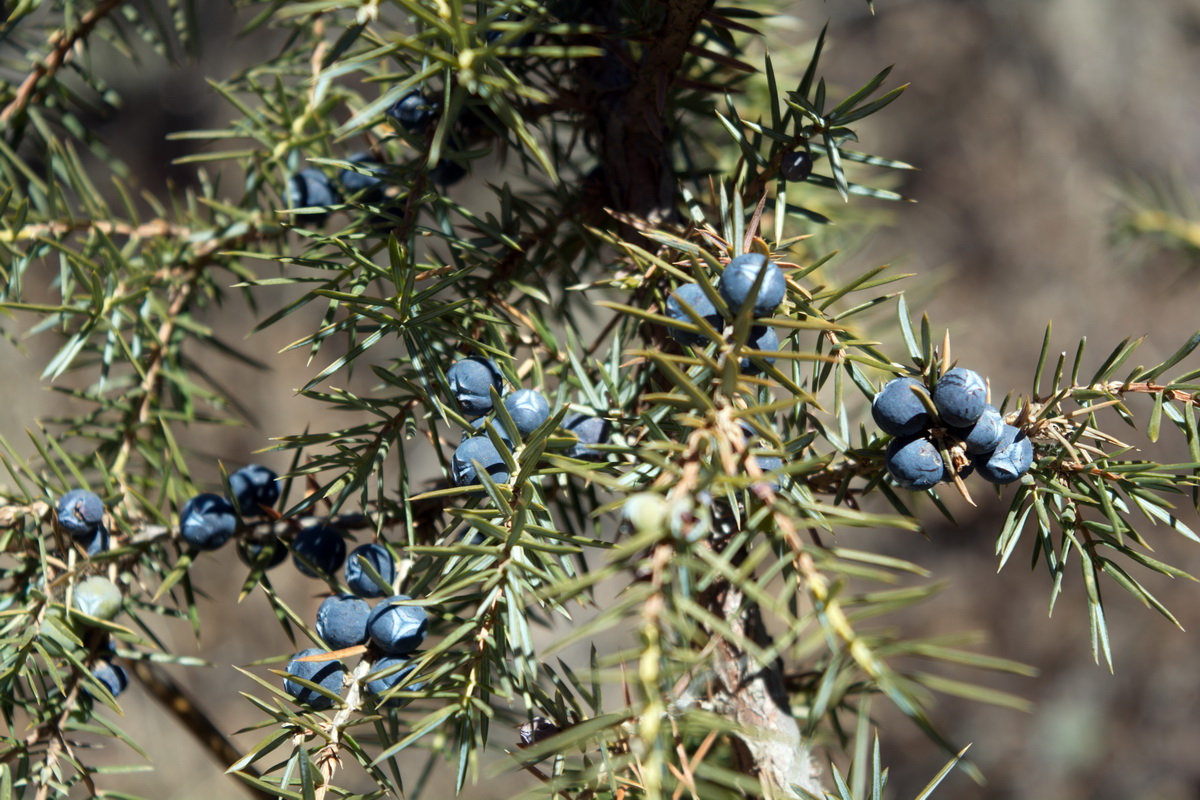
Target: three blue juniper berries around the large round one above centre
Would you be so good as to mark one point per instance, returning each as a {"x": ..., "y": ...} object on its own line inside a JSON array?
[{"x": 737, "y": 288}]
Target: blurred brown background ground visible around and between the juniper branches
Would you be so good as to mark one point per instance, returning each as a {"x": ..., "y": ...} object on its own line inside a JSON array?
[{"x": 1024, "y": 118}]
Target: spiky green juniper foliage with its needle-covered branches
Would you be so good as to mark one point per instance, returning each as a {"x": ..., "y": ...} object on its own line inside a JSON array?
[{"x": 599, "y": 210}]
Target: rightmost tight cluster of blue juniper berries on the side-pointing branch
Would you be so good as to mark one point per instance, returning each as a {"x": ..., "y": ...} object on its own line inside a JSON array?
[{"x": 1000, "y": 453}]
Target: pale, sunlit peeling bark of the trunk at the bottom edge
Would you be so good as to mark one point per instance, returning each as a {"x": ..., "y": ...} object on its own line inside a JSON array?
[{"x": 753, "y": 696}]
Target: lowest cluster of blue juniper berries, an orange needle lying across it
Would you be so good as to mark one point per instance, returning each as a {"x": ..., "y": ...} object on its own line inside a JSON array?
[{"x": 392, "y": 631}]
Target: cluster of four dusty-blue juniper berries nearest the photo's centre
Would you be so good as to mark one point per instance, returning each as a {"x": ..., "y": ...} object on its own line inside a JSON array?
[{"x": 472, "y": 382}]
